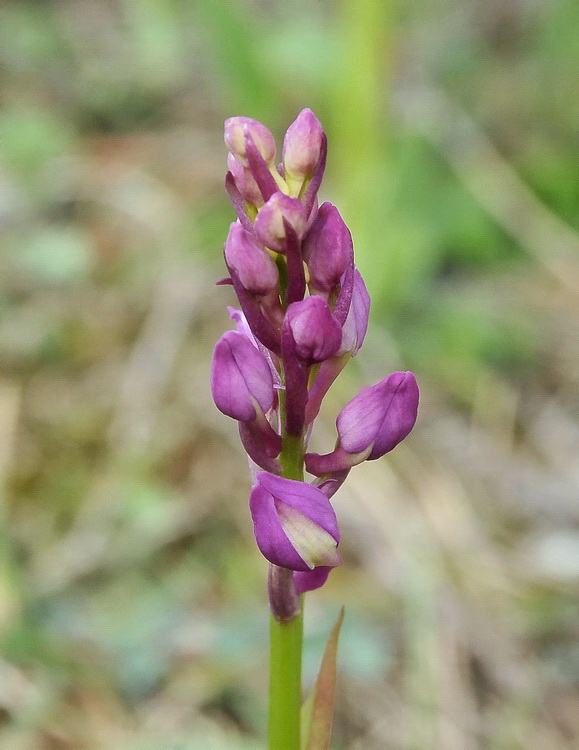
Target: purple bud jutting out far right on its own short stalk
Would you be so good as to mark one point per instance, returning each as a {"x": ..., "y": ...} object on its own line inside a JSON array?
[{"x": 371, "y": 424}]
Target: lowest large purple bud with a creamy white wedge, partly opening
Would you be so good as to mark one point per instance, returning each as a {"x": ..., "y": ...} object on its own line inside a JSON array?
[{"x": 294, "y": 523}]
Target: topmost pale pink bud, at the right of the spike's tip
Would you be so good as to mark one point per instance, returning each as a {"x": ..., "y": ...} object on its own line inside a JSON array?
[{"x": 302, "y": 145}]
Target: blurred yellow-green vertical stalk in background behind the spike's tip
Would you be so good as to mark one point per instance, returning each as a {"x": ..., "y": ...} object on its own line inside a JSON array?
[{"x": 359, "y": 123}]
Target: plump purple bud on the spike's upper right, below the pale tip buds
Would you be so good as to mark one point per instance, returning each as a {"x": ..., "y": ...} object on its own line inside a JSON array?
[{"x": 328, "y": 248}]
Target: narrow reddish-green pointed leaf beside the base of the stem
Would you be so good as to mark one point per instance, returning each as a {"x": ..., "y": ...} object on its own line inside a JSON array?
[{"x": 318, "y": 710}]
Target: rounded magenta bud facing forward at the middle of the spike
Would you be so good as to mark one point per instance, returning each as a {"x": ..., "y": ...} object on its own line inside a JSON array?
[{"x": 317, "y": 335}]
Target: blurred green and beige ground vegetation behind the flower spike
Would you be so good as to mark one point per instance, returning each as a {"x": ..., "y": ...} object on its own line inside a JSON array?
[{"x": 132, "y": 598}]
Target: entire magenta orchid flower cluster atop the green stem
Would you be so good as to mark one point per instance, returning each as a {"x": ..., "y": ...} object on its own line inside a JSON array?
[{"x": 304, "y": 313}]
